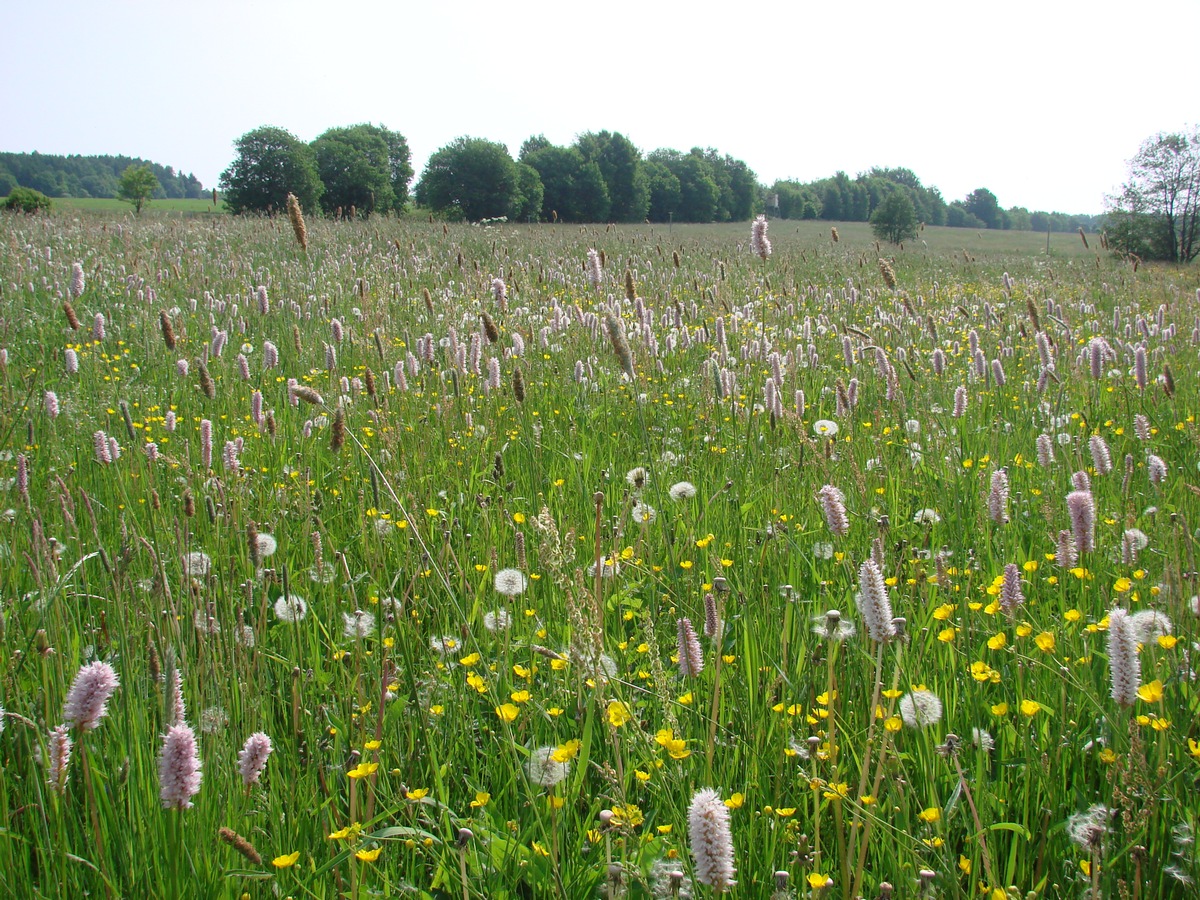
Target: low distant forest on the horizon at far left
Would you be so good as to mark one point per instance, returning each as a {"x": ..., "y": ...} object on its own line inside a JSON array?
[{"x": 89, "y": 176}]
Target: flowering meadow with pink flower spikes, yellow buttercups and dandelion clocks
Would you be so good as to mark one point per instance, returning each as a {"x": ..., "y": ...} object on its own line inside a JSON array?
[{"x": 443, "y": 561}]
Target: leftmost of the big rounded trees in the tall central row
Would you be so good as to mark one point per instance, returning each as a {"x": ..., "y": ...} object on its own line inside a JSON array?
[{"x": 271, "y": 165}]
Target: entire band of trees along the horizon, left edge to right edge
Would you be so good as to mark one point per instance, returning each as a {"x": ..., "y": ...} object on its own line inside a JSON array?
[{"x": 603, "y": 177}]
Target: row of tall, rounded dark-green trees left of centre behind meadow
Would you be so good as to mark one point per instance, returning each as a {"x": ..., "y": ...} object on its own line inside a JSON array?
[{"x": 601, "y": 178}]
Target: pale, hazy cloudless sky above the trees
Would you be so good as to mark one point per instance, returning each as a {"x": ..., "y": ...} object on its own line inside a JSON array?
[{"x": 1041, "y": 101}]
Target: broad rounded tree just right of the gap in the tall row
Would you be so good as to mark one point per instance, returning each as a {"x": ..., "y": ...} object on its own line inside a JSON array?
[{"x": 472, "y": 179}]
